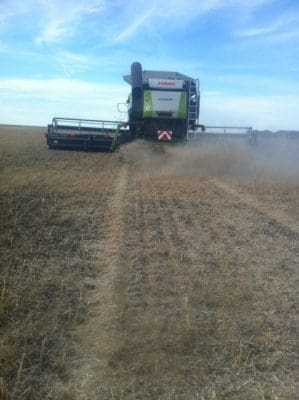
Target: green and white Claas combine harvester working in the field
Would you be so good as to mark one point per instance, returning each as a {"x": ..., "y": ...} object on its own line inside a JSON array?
[{"x": 163, "y": 106}]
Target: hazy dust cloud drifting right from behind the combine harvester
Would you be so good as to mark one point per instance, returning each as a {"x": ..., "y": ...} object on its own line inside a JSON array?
[{"x": 271, "y": 159}]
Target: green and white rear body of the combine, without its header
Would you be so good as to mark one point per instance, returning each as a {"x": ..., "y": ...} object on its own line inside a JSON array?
[{"x": 163, "y": 105}]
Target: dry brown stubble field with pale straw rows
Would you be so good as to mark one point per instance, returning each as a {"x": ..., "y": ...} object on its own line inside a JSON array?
[{"x": 149, "y": 273}]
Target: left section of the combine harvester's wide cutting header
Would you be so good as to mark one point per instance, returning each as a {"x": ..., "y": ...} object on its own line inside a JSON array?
[{"x": 86, "y": 134}]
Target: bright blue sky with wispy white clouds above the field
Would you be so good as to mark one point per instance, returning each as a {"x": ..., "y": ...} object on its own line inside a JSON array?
[{"x": 66, "y": 58}]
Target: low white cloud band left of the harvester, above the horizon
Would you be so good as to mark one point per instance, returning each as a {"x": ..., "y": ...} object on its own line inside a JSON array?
[{"x": 36, "y": 102}]
